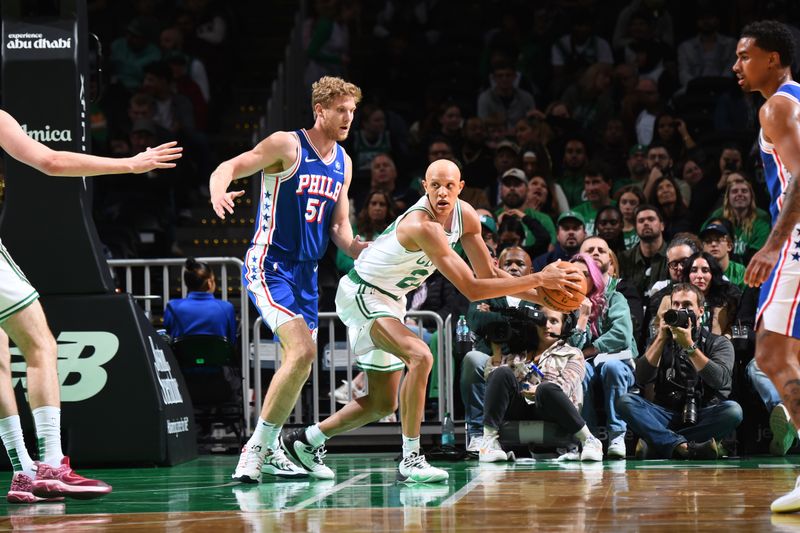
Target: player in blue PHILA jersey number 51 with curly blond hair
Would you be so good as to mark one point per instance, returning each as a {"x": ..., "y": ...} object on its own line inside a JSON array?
[{"x": 305, "y": 176}]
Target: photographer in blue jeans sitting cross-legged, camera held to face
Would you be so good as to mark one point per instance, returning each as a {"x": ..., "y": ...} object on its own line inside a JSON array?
[{"x": 691, "y": 369}]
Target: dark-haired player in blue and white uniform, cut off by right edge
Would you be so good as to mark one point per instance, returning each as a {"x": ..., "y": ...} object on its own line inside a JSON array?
[{"x": 764, "y": 57}]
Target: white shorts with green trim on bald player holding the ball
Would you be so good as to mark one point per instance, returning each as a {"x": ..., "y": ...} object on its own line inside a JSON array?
[{"x": 358, "y": 306}]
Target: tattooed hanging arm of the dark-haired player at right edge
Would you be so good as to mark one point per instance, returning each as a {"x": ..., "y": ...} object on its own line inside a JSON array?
[{"x": 779, "y": 119}]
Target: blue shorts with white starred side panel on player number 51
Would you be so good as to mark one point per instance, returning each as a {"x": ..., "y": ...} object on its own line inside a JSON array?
[{"x": 282, "y": 290}]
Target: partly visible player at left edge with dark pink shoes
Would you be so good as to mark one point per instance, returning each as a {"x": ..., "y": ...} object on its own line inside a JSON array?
[{"x": 22, "y": 318}]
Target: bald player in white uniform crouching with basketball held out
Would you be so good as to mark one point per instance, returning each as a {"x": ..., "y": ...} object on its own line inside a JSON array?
[{"x": 371, "y": 302}]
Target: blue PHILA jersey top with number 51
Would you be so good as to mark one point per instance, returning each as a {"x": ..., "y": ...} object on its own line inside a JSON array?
[{"x": 296, "y": 205}]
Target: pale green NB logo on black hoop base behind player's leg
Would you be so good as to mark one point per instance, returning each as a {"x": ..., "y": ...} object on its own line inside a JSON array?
[{"x": 81, "y": 355}]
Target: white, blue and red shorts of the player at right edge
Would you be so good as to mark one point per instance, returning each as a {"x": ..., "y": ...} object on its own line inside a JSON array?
[{"x": 779, "y": 299}]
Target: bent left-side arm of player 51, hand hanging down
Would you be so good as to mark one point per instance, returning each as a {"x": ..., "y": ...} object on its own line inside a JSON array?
[{"x": 274, "y": 154}]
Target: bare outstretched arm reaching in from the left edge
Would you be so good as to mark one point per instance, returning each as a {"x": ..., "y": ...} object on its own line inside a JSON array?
[{"x": 73, "y": 164}]
